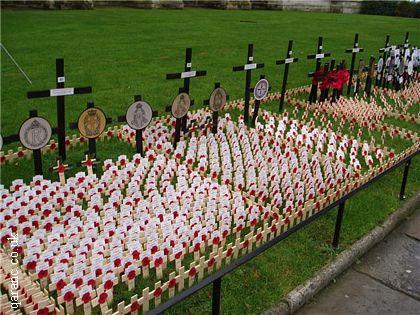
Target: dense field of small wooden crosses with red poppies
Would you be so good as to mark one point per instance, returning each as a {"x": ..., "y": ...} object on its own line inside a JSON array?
[{"x": 156, "y": 223}]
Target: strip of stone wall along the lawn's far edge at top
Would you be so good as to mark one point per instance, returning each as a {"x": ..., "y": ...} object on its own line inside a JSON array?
[{"x": 343, "y": 6}]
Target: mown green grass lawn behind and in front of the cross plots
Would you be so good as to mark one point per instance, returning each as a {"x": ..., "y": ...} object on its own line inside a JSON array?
[{"x": 123, "y": 52}]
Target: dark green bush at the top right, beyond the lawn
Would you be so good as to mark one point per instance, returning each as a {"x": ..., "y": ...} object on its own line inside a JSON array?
[{"x": 393, "y": 8}]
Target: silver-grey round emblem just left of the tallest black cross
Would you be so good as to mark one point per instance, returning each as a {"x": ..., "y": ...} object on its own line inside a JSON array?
[{"x": 35, "y": 133}]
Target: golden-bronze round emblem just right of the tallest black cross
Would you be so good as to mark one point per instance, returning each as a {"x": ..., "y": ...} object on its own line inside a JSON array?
[{"x": 91, "y": 123}]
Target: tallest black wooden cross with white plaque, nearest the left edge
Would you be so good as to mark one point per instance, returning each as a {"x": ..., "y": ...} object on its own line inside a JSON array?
[{"x": 60, "y": 92}]
